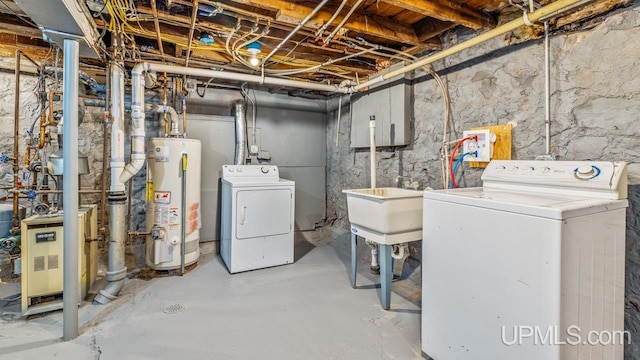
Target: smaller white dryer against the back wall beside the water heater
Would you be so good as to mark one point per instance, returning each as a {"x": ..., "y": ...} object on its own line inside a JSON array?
[{"x": 257, "y": 217}]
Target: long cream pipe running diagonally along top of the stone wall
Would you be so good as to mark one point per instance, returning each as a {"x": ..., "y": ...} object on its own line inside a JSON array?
[{"x": 541, "y": 14}]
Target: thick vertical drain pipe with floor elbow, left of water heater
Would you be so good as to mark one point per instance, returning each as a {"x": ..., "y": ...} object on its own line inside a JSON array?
[{"x": 117, "y": 198}]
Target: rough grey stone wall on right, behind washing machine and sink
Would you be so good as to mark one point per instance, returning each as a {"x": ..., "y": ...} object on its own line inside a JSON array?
[{"x": 595, "y": 111}]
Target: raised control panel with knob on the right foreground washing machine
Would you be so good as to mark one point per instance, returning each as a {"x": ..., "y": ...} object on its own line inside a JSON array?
[{"x": 558, "y": 176}]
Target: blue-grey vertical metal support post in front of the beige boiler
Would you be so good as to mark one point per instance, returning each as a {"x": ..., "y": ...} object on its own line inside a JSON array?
[{"x": 71, "y": 251}]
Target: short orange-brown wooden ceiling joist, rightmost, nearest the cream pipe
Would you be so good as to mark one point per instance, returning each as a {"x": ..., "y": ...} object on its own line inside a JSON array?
[{"x": 446, "y": 10}]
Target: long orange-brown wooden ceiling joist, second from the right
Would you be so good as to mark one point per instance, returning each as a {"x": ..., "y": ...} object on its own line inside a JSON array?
[{"x": 373, "y": 25}]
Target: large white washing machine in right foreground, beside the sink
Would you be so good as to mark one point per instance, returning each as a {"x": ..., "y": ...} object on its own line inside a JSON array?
[{"x": 528, "y": 267}]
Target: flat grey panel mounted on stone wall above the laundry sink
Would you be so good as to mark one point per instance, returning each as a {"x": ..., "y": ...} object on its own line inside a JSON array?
[{"x": 390, "y": 103}]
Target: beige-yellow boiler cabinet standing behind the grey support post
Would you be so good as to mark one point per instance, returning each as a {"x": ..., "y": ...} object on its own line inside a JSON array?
[{"x": 43, "y": 262}]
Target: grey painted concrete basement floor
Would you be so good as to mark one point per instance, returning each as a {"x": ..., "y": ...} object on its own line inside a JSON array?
[{"x": 307, "y": 310}]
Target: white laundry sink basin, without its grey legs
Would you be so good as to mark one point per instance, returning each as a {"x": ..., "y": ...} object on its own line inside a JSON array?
[{"x": 385, "y": 211}]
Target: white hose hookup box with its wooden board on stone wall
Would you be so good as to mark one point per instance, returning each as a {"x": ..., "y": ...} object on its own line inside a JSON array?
[{"x": 493, "y": 143}]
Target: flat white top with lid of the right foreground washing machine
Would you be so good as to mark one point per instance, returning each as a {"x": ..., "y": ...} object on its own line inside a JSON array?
[{"x": 556, "y": 207}]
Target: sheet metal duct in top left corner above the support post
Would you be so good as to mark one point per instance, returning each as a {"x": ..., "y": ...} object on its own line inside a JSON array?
[{"x": 64, "y": 19}]
